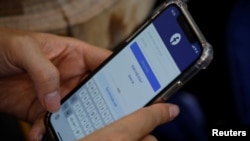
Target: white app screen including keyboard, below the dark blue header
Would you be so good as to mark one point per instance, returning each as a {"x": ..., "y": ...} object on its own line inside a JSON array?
[{"x": 125, "y": 84}]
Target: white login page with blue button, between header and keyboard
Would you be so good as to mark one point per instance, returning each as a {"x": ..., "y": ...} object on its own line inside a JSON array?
[{"x": 137, "y": 73}]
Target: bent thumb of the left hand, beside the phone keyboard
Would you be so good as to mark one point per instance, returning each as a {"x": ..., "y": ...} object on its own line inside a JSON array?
[{"x": 43, "y": 73}]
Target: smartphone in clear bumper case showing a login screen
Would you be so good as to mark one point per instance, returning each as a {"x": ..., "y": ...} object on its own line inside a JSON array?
[{"x": 152, "y": 64}]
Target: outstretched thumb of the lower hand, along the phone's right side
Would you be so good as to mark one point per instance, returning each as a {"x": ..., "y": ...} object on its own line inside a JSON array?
[{"x": 145, "y": 120}]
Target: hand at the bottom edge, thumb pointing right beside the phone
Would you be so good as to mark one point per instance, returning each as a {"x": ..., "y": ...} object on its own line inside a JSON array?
[{"x": 136, "y": 126}]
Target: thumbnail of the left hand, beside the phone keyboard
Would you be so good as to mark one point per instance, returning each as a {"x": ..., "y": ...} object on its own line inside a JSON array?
[{"x": 52, "y": 101}]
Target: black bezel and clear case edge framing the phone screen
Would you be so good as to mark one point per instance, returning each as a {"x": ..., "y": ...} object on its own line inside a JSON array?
[{"x": 202, "y": 63}]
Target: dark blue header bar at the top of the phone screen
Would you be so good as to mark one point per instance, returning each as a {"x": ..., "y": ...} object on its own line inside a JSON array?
[{"x": 167, "y": 25}]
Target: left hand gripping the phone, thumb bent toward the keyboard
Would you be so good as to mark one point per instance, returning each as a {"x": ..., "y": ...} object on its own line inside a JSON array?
[{"x": 38, "y": 69}]
